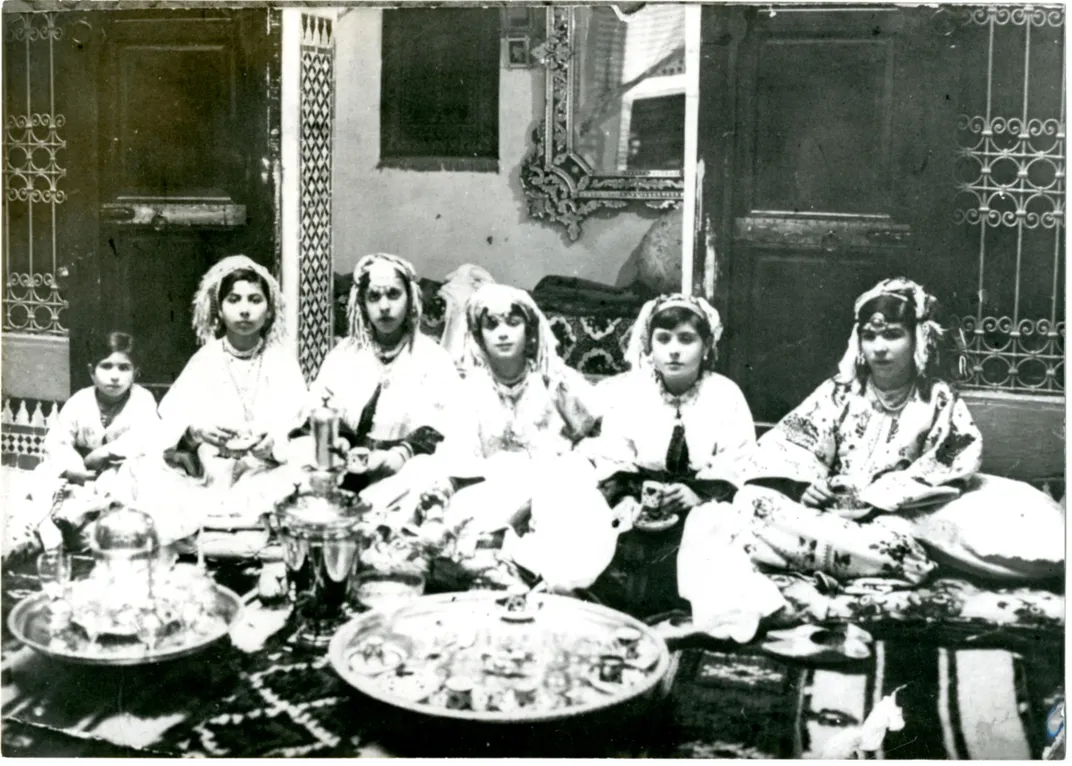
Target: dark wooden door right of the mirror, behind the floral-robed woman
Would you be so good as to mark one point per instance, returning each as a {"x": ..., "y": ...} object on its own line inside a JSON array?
[{"x": 824, "y": 137}]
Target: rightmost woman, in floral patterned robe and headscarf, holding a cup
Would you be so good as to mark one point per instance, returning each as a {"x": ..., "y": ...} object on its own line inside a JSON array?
[{"x": 886, "y": 434}]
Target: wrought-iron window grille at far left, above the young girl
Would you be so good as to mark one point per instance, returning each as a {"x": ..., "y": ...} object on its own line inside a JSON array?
[{"x": 35, "y": 155}]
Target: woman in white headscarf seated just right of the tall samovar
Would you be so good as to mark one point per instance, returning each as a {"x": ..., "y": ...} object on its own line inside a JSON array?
[{"x": 396, "y": 389}]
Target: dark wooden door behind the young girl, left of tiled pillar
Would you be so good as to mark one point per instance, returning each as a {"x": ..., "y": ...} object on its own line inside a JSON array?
[{"x": 185, "y": 124}]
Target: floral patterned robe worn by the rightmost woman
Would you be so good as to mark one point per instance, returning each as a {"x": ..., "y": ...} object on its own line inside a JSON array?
[{"x": 884, "y": 460}]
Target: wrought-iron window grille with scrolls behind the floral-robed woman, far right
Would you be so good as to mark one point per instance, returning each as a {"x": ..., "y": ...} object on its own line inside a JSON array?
[{"x": 1010, "y": 178}]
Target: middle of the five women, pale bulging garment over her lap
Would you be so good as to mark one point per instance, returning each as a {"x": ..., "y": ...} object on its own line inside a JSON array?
[{"x": 527, "y": 411}]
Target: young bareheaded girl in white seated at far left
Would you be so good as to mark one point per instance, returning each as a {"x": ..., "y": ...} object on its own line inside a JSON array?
[{"x": 98, "y": 429}]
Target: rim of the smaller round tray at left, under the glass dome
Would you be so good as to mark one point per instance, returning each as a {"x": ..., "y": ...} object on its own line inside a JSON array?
[{"x": 29, "y": 622}]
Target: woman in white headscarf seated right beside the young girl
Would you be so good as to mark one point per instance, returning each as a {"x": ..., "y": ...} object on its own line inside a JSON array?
[{"x": 226, "y": 422}]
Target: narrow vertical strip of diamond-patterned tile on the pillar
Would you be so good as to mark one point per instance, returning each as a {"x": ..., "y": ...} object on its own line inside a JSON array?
[{"x": 316, "y": 321}]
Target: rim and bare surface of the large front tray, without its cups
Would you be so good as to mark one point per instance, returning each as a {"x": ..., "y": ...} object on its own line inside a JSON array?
[{"x": 477, "y": 609}]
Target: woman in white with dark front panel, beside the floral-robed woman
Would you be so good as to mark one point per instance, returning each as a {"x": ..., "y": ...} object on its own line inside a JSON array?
[{"x": 669, "y": 440}]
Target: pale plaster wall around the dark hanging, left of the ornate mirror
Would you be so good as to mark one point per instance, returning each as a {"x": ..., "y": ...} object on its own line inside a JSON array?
[{"x": 442, "y": 220}]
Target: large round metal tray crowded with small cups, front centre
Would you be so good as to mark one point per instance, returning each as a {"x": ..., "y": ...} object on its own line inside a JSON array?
[{"x": 482, "y": 657}]
